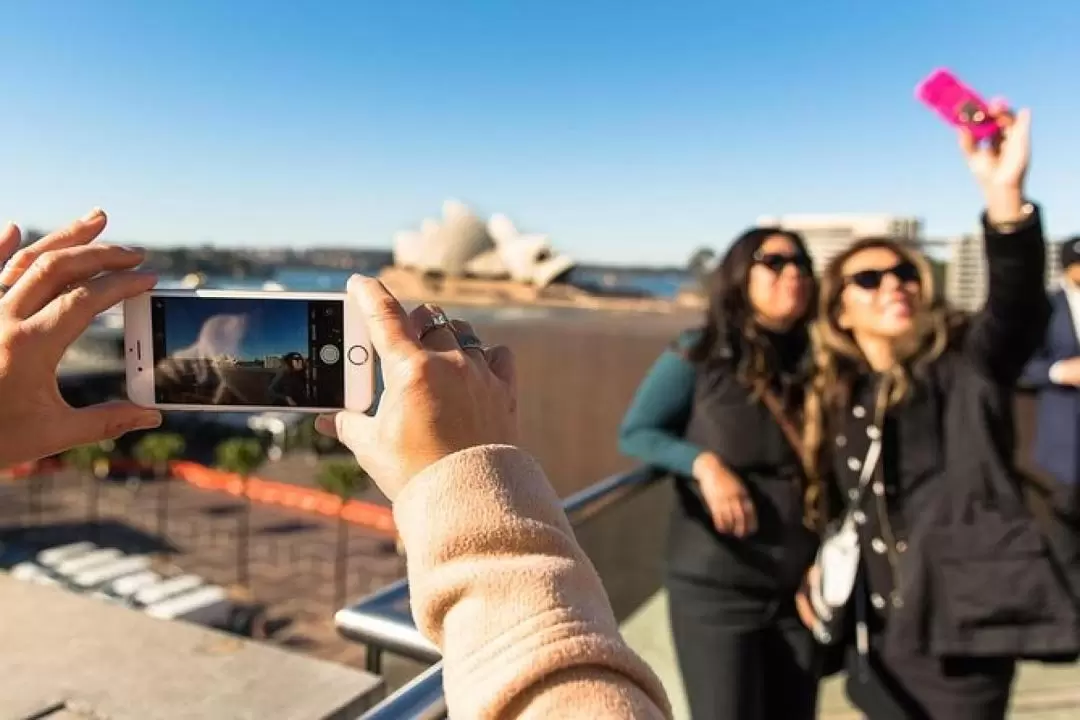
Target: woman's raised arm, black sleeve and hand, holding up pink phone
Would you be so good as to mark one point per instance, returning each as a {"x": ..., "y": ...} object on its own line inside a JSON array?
[{"x": 1010, "y": 328}]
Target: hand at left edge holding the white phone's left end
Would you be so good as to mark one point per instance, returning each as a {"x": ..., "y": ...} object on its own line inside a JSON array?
[{"x": 58, "y": 287}]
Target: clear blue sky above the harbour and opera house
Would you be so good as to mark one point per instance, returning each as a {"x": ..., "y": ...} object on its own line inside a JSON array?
[{"x": 628, "y": 131}]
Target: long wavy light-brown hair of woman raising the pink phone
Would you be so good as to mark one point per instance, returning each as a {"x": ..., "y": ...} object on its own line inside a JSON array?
[{"x": 839, "y": 362}]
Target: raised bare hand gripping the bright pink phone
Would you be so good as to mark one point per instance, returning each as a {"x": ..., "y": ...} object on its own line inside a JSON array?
[{"x": 1001, "y": 166}]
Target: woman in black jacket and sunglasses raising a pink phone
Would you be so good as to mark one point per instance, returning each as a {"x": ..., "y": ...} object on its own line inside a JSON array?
[{"x": 910, "y": 423}]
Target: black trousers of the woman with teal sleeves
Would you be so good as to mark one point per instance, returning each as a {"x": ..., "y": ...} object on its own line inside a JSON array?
[{"x": 744, "y": 654}]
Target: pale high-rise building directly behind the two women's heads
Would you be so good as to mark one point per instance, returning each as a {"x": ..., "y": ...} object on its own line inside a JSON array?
[{"x": 828, "y": 236}]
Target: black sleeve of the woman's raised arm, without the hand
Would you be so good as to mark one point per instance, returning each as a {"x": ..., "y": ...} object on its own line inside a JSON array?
[{"x": 1007, "y": 333}]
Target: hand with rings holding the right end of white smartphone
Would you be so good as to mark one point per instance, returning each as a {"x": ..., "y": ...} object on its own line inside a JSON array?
[{"x": 439, "y": 399}]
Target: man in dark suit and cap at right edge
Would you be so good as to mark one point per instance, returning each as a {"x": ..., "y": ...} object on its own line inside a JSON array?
[{"x": 1055, "y": 373}]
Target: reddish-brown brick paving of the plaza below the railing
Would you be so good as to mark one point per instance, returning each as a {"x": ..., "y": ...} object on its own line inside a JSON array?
[{"x": 292, "y": 554}]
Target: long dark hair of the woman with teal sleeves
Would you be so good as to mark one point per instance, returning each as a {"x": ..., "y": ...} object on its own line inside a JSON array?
[{"x": 731, "y": 332}]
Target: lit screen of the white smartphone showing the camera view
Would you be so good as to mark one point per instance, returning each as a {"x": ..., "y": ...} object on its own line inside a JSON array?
[{"x": 249, "y": 351}]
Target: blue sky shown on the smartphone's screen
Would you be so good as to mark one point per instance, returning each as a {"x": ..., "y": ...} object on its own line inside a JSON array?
[{"x": 275, "y": 328}]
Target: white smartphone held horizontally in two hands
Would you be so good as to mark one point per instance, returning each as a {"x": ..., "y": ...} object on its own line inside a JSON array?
[{"x": 248, "y": 351}]
